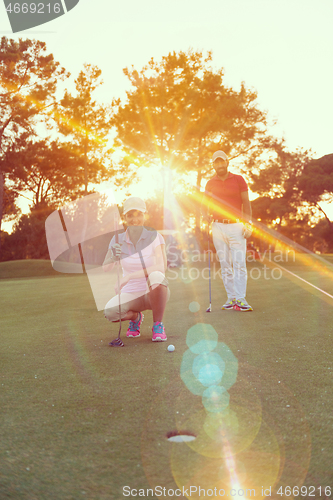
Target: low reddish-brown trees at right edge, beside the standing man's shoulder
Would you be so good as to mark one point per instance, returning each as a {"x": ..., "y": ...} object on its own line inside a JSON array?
[{"x": 291, "y": 185}]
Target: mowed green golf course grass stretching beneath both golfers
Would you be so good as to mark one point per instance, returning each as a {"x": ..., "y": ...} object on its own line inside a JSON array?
[{"x": 80, "y": 419}]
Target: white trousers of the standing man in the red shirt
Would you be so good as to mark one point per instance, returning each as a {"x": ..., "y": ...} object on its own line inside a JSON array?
[{"x": 230, "y": 246}]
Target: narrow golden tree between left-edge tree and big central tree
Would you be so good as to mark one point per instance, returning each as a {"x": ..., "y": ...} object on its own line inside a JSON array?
[{"x": 88, "y": 123}]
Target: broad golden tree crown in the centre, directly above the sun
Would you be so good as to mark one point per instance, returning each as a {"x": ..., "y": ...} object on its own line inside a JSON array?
[{"x": 179, "y": 111}]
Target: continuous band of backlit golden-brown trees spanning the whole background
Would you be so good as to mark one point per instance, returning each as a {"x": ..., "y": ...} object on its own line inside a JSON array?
[{"x": 177, "y": 112}]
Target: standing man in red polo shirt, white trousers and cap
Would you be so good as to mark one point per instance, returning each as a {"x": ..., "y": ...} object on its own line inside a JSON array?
[{"x": 226, "y": 203}]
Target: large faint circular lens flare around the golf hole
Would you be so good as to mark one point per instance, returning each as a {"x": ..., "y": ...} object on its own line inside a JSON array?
[{"x": 257, "y": 443}]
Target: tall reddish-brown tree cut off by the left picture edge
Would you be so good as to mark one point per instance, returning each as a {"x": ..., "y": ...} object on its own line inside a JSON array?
[{"x": 28, "y": 80}]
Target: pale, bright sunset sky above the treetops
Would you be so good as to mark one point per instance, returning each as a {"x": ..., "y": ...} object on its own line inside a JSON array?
[{"x": 282, "y": 49}]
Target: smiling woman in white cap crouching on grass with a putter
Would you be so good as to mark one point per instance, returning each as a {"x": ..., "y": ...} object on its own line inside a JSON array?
[{"x": 143, "y": 285}]
